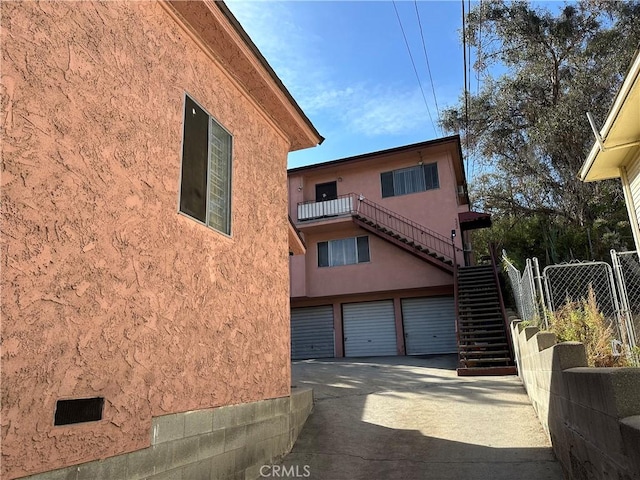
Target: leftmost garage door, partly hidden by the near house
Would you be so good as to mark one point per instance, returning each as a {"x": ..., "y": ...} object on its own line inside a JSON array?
[{"x": 312, "y": 332}]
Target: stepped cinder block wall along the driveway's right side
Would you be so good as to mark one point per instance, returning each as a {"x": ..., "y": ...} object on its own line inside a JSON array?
[{"x": 592, "y": 415}]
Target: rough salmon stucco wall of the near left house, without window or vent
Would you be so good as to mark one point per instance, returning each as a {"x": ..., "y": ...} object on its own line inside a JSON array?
[{"x": 106, "y": 289}]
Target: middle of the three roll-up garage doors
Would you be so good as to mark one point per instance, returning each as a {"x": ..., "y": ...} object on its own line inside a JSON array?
[{"x": 369, "y": 329}]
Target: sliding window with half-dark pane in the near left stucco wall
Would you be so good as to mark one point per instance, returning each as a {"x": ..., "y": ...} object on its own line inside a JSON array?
[{"x": 205, "y": 184}]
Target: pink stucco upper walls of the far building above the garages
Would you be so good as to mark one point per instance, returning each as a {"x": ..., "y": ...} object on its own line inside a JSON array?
[{"x": 391, "y": 268}]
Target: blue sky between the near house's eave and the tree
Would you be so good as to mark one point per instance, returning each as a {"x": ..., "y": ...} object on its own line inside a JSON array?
[{"x": 347, "y": 65}]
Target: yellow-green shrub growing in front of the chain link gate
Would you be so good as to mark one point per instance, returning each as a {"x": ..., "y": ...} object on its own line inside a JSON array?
[{"x": 582, "y": 322}]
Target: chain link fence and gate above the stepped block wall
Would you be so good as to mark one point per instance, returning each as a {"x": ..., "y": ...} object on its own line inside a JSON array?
[{"x": 616, "y": 290}]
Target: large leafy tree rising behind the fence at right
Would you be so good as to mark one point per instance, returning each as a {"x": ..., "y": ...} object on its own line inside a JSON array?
[{"x": 529, "y": 125}]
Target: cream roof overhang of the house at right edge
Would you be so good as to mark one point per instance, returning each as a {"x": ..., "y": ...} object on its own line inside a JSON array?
[{"x": 620, "y": 133}]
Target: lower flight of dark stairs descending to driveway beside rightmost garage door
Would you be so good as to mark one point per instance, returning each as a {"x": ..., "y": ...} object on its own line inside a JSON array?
[{"x": 484, "y": 343}]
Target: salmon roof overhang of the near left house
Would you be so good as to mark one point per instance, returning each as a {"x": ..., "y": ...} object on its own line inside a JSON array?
[{"x": 219, "y": 33}]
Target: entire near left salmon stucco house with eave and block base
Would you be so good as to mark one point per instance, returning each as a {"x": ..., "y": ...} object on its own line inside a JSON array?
[{"x": 145, "y": 285}]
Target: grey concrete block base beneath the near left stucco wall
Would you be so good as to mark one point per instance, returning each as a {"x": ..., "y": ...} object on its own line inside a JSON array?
[{"x": 230, "y": 442}]
